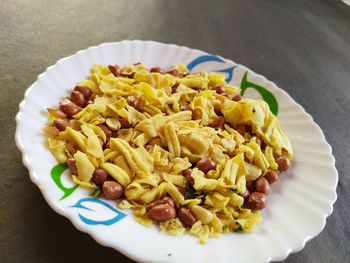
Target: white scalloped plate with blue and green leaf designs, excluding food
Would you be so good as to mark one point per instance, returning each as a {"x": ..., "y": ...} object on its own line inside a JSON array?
[{"x": 297, "y": 206}]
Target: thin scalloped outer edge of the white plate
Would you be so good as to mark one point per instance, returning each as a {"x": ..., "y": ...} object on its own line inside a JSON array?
[{"x": 77, "y": 224}]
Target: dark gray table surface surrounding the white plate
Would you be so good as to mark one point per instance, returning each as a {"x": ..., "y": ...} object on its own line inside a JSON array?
[{"x": 304, "y": 46}]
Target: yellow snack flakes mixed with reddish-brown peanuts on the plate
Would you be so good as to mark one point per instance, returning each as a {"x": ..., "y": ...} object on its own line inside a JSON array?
[{"x": 183, "y": 150}]
